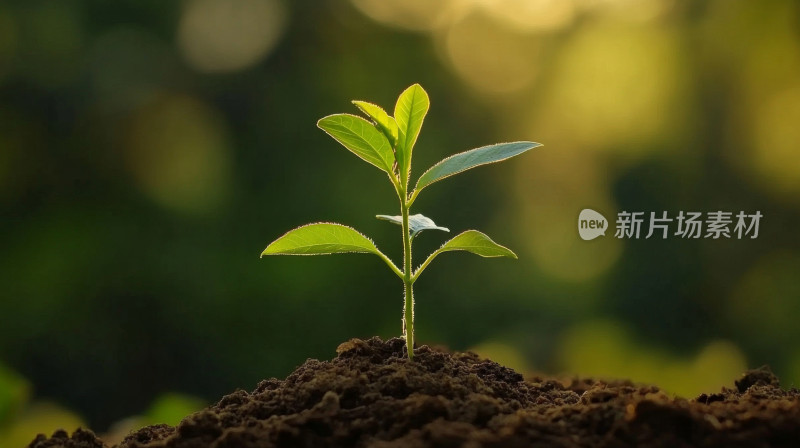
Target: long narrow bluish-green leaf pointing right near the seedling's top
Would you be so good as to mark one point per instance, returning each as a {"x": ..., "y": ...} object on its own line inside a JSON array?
[{"x": 472, "y": 158}]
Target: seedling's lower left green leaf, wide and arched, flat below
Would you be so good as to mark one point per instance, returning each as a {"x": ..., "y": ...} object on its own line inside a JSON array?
[{"x": 321, "y": 239}]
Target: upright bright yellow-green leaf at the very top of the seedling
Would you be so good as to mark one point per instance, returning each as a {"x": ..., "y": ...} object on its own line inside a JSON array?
[{"x": 409, "y": 113}]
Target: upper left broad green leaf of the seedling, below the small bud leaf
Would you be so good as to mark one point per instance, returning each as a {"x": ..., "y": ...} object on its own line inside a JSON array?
[{"x": 361, "y": 138}]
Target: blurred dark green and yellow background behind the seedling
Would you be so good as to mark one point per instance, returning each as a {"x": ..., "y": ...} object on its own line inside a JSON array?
[{"x": 149, "y": 151}]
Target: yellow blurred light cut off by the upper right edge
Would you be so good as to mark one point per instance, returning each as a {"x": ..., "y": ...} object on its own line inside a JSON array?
[{"x": 764, "y": 67}]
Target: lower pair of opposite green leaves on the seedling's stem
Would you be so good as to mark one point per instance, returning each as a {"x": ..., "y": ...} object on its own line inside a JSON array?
[{"x": 330, "y": 238}]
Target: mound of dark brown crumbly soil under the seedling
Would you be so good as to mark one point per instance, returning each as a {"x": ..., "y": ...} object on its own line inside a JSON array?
[{"x": 370, "y": 395}]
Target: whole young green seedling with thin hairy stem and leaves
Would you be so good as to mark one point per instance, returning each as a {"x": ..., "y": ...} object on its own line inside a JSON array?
[{"x": 387, "y": 143}]
